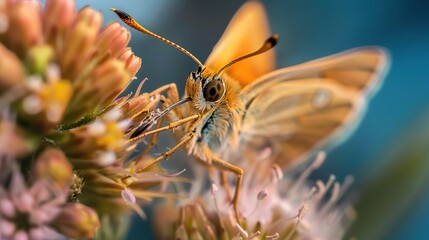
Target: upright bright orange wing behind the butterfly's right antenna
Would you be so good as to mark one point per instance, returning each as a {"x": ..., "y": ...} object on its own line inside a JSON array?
[{"x": 246, "y": 33}]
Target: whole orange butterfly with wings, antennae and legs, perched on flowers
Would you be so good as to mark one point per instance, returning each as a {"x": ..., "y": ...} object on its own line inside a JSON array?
[{"x": 237, "y": 100}]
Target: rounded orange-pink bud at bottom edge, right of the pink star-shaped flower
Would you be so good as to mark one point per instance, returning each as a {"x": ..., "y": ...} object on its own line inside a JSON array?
[{"x": 77, "y": 221}]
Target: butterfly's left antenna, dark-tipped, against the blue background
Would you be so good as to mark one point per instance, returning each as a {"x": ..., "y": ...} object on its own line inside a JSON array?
[{"x": 130, "y": 21}]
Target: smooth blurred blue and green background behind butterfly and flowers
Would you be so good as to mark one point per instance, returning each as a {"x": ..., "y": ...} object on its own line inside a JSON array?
[{"x": 388, "y": 154}]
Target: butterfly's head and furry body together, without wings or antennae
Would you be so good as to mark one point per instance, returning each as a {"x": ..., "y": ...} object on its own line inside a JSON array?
[{"x": 216, "y": 99}]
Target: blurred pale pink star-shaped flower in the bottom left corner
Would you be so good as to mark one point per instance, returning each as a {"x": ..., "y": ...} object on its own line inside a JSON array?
[{"x": 27, "y": 211}]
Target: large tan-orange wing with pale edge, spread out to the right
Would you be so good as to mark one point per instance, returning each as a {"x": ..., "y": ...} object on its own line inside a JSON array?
[{"x": 302, "y": 108}]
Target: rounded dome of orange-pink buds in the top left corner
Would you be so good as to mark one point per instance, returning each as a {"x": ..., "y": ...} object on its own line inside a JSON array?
[{"x": 60, "y": 80}]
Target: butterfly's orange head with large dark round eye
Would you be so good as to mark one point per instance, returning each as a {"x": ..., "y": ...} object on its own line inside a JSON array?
[{"x": 206, "y": 88}]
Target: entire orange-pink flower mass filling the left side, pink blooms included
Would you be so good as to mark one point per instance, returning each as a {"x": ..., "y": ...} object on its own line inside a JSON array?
[{"x": 64, "y": 125}]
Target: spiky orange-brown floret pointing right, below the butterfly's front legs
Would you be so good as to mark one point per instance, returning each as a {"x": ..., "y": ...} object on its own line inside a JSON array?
[{"x": 115, "y": 190}]
